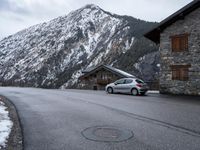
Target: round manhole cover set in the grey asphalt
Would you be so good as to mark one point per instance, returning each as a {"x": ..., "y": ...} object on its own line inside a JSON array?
[{"x": 107, "y": 134}]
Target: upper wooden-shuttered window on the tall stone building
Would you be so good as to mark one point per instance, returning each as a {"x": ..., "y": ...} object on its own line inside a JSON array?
[{"x": 179, "y": 43}]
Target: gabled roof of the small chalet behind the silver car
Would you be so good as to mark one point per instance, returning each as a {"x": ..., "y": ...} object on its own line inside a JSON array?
[{"x": 116, "y": 71}]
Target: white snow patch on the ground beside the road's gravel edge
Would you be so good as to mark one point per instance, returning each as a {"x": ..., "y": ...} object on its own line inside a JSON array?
[{"x": 5, "y": 125}]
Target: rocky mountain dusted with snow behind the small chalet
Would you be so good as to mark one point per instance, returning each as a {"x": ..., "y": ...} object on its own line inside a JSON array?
[{"x": 54, "y": 53}]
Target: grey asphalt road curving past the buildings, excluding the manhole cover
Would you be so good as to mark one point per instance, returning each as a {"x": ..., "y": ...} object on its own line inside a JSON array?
[{"x": 56, "y": 119}]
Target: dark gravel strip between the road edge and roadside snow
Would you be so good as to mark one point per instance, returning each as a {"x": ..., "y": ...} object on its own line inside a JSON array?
[{"x": 15, "y": 141}]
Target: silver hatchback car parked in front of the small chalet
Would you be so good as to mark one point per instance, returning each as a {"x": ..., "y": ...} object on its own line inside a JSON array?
[{"x": 132, "y": 86}]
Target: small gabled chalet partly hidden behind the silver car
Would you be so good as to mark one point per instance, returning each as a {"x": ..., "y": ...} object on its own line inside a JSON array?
[{"x": 97, "y": 78}]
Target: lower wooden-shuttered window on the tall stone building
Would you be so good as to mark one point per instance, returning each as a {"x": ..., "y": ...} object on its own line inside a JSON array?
[{"x": 180, "y": 72}]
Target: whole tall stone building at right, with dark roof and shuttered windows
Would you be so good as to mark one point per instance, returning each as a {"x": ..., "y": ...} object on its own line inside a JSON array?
[{"x": 179, "y": 39}]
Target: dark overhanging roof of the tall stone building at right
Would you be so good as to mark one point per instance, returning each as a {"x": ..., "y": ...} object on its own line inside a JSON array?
[{"x": 154, "y": 34}]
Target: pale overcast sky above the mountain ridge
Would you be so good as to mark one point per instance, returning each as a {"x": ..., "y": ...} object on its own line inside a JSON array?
[{"x": 16, "y": 15}]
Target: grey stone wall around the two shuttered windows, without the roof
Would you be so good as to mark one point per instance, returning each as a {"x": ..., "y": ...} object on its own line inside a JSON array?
[{"x": 189, "y": 24}]
